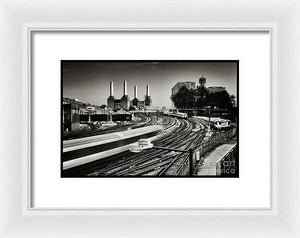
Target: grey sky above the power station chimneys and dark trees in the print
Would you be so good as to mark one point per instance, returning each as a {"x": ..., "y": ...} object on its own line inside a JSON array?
[{"x": 88, "y": 81}]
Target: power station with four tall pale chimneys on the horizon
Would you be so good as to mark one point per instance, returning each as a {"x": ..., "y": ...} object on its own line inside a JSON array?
[{"x": 124, "y": 102}]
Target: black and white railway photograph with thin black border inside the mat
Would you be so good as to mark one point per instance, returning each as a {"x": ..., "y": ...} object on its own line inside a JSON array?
[{"x": 147, "y": 118}]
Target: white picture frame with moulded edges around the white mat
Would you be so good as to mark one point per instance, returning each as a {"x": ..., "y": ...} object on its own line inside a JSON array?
[{"x": 20, "y": 18}]
